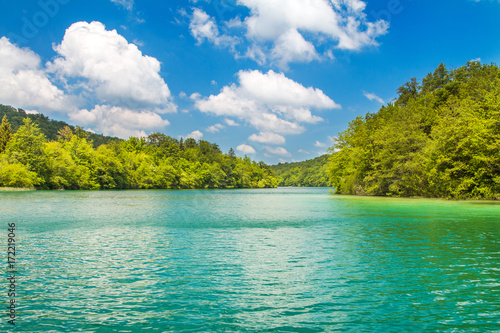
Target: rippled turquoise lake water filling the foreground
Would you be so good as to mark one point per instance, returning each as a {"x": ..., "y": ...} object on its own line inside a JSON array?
[{"x": 270, "y": 260}]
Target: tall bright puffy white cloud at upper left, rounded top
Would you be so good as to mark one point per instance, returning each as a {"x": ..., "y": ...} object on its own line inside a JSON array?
[{"x": 116, "y": 71}]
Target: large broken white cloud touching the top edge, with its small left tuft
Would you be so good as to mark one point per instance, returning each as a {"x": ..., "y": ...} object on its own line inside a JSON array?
[{"x": 278, "y": 36}]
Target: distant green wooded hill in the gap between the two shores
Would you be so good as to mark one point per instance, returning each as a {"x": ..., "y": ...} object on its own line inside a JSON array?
[{"x": 310, "y": 173}]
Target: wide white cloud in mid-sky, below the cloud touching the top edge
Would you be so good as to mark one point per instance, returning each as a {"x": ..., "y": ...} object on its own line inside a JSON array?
[{"x": 269, "y": 102}]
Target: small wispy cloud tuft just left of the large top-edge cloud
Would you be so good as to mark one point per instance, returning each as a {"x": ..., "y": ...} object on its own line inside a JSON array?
[{"x": 203, "y": 27}]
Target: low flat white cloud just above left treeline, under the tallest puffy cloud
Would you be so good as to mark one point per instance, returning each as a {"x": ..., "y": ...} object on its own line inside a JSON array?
[{"x": 118, "y": 121}]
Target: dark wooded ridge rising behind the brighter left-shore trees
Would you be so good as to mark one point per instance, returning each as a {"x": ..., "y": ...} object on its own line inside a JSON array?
[{"x": 47, "y": 126}]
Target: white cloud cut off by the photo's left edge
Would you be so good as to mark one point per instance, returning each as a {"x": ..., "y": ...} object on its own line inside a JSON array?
[{"x": 25, "y": 84}]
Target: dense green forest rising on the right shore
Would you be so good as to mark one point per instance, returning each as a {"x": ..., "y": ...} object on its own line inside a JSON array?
[{"x": 440, "y": 139}]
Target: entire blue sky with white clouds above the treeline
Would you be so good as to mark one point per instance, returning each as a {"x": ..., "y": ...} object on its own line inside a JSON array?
[{"x": 275, "y": 80}]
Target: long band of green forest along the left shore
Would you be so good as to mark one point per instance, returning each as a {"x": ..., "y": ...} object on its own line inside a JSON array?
[{"x": 70, "y": 159}]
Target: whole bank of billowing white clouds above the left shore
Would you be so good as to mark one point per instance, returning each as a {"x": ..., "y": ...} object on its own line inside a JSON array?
[{"x": 96, "y": 65}]
